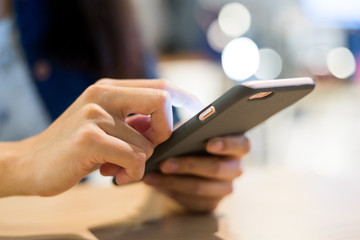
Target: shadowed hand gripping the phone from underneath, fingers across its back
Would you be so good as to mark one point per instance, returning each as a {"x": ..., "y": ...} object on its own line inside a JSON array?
[{"x": 200, "y": 182}]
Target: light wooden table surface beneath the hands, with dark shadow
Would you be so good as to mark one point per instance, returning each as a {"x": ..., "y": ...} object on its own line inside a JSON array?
[{"x": 268, "y": 203}]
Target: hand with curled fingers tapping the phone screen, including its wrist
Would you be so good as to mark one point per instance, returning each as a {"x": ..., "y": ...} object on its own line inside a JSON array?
[{"x": 94, "y": 131}]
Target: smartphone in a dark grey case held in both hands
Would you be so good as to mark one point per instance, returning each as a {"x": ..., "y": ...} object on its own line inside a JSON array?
[{"x": 241, "y": 108}]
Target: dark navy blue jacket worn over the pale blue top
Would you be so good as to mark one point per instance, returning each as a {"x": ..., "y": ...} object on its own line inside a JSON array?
[{"x": 62, "y": 85}]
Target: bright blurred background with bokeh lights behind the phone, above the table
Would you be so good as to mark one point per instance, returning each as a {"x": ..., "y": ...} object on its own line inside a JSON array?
[{"x": 206, "y": 46}]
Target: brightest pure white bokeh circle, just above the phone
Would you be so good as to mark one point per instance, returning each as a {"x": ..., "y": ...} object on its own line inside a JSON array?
[{"x": 240, "y": 59}]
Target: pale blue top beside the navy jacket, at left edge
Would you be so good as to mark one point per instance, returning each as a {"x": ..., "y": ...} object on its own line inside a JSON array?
[{"x": 22, "y": 113}]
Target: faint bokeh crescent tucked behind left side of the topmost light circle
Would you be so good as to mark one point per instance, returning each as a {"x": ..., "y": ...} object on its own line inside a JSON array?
[{"x": 216, "y": 38}]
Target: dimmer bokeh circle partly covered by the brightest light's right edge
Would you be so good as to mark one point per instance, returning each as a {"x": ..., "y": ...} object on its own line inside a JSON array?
[{"x": 270, "y": 64}]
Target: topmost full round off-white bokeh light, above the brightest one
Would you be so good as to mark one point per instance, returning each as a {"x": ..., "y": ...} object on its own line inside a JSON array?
[{"x": 234, "y": 19}]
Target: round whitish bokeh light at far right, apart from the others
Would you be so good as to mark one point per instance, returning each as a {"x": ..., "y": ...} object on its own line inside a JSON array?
[{"x": 341, "y": 62}]
